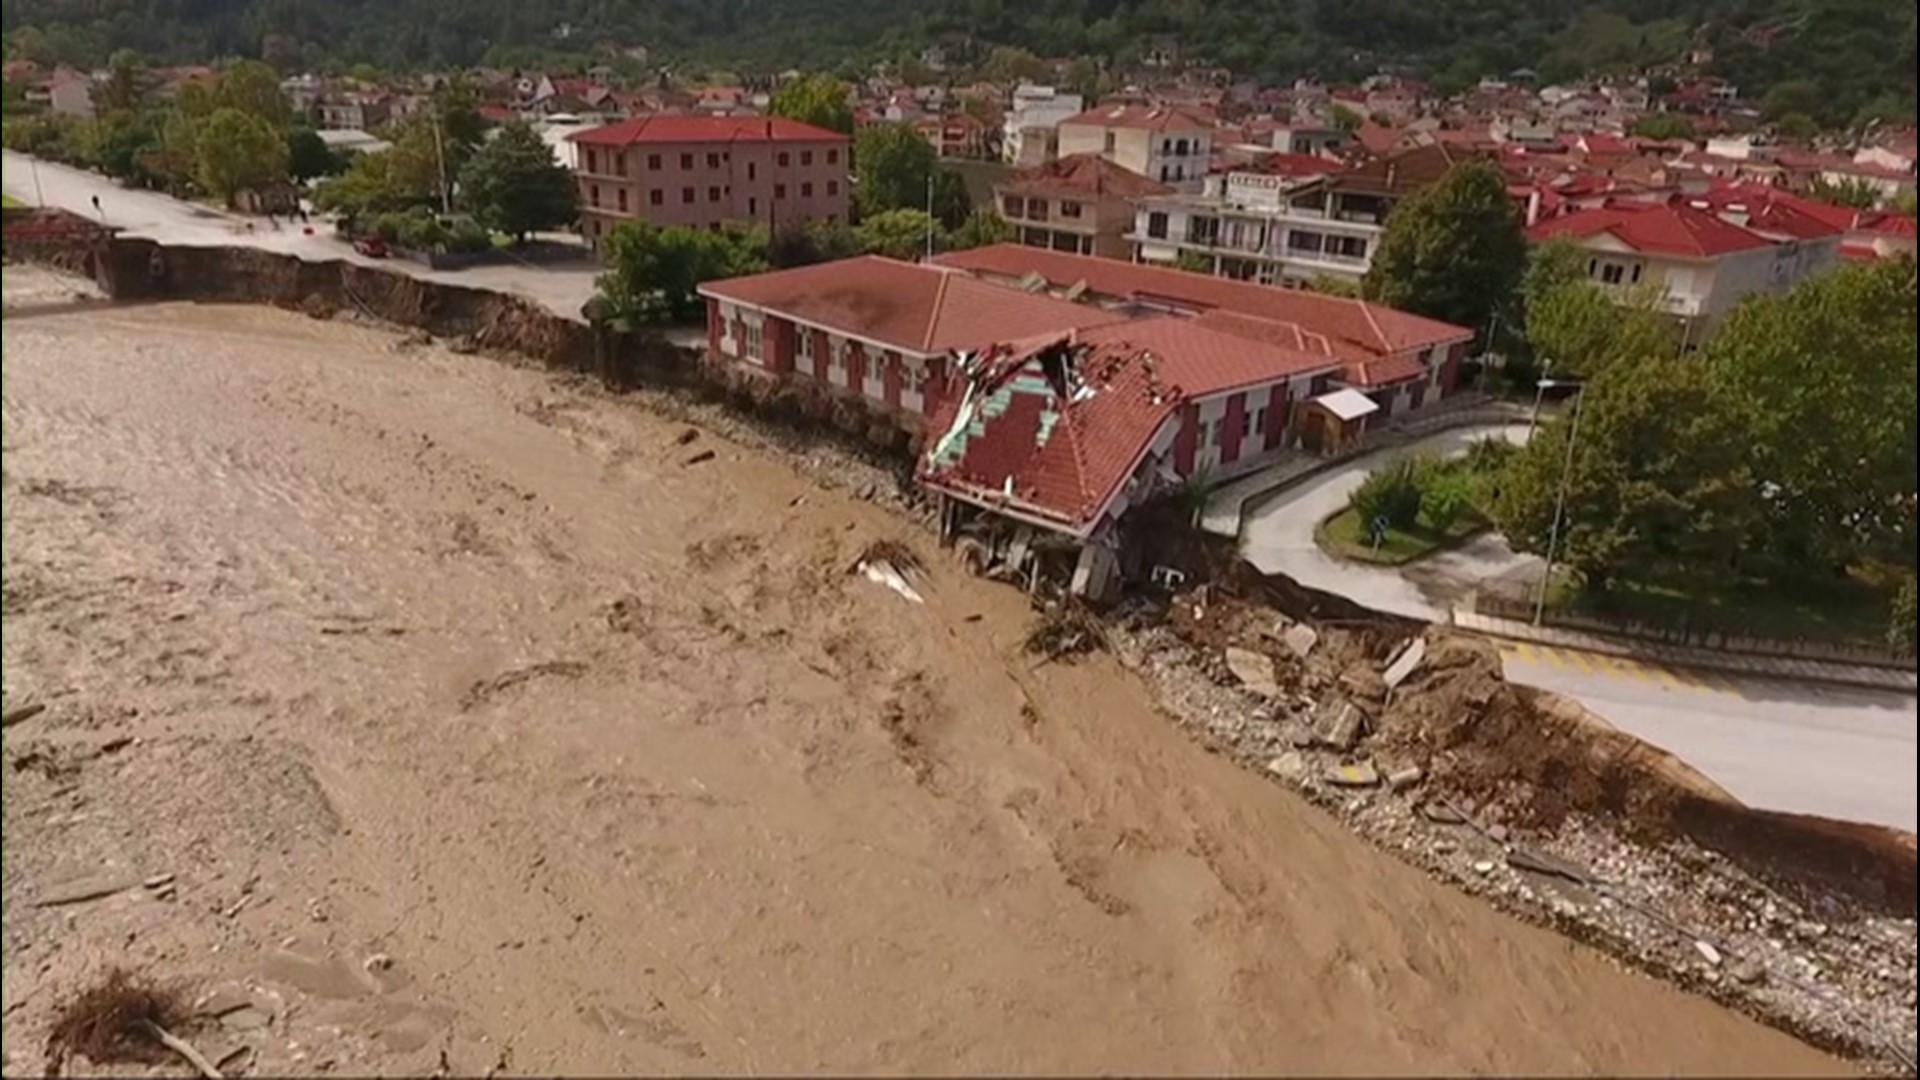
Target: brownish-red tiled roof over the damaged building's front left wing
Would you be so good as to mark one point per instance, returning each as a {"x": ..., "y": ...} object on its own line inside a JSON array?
[{"x": 907, "y": 307}]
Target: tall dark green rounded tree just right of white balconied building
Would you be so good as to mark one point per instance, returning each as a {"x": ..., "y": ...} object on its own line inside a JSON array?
[{"x": 1452, "y": 251}]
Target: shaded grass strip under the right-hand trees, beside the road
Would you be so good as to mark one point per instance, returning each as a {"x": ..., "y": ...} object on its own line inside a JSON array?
[{"x": 1856, "y": 608}]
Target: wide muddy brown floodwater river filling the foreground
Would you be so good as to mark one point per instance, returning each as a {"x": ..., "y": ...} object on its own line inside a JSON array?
[{"x": 475, "y": 724}]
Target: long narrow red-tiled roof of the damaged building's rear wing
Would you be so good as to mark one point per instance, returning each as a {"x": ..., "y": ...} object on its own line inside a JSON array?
[{"x": 1370, "y": 328}]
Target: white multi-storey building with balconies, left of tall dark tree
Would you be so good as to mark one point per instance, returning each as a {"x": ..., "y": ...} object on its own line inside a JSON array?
[{"x": 1291, "y": 224}]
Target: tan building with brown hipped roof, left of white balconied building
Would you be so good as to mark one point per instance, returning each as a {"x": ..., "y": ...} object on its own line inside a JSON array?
[{"x": 1076, "y": 205}]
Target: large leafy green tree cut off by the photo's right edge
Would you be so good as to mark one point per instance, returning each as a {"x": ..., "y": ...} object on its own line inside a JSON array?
[{"x": 1825, "y": 381}]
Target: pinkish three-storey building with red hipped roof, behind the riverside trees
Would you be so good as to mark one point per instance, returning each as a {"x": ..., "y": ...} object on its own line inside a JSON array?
[{"x": 702, "y": 172}]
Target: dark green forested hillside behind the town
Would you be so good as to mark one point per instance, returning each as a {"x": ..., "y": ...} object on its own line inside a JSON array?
[{"x": 1854, "y": 51}]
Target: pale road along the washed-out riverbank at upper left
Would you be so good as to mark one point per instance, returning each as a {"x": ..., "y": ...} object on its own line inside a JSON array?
[{"x": 562, "y": 289}]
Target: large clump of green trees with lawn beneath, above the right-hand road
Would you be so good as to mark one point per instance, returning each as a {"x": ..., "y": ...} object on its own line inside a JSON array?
[{"x": 1769, "y": 479}]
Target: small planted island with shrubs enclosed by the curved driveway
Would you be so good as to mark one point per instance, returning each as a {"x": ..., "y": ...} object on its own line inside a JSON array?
[{"x": 1410, "y": 510}]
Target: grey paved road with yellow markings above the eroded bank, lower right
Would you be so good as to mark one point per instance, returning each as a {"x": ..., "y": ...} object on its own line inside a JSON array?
[{"x": 1790, "y": 747}]
